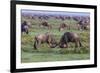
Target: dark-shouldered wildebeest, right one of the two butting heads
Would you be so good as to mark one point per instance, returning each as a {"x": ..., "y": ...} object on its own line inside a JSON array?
[{"x": 69, "y": 37}]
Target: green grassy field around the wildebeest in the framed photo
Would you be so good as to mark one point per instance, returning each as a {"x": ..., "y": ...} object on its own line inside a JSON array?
[{"x": 44, "y": 53}]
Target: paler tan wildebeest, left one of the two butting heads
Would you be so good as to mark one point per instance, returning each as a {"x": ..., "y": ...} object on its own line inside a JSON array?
[{"x": 44, "y": 38}]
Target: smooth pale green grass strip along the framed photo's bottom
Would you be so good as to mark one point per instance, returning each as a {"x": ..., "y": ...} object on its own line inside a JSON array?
[{"x": 51, "y": 56}]
